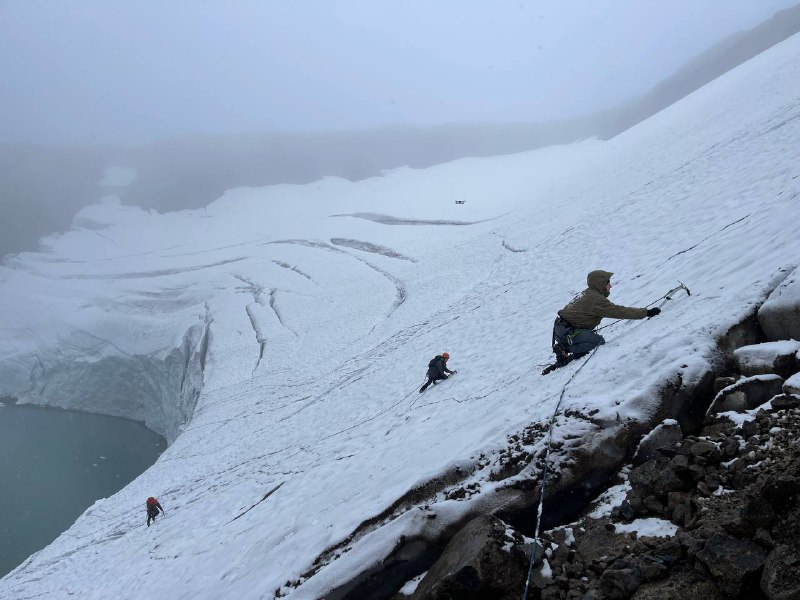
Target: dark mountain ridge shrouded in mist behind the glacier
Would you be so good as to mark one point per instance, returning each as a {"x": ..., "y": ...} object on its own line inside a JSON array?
[{"x": 44, "y": 186}]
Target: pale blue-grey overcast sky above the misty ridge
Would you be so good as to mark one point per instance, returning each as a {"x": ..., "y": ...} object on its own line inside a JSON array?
[{"x": 137, "y": 70}]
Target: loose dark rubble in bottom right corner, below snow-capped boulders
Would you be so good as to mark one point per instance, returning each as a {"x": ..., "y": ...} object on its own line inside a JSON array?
[{"x": 732, "y": 492}]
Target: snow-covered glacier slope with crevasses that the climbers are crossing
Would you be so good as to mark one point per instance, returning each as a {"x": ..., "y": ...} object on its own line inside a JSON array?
[{"x": 295, "y": 323}]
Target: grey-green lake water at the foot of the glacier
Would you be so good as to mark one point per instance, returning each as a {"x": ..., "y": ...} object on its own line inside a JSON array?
[{"x": 54, "y": 464}]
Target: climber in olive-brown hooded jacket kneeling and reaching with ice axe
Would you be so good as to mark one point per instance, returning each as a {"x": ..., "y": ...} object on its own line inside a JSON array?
[{"x": 573, "y": 330}]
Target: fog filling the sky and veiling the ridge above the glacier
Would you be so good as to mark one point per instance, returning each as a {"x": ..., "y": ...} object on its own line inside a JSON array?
[{"x": 199, "y": 97}]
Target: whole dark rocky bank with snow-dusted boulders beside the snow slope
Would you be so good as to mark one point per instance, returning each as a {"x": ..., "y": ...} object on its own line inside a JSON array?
[{"x": 711, "y": 515}]
